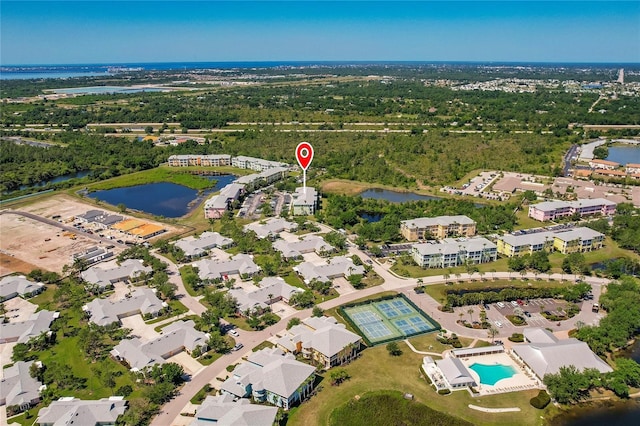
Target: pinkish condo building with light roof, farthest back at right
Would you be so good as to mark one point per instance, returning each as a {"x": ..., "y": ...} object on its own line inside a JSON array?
[{"x": 551, "y": 210}]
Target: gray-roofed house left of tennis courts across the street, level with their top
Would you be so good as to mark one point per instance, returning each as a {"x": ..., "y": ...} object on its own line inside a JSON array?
[{"x": 275, "y": 287}]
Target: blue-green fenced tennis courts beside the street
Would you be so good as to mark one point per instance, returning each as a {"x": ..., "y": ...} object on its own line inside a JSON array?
[{"x": 391, "y": 319}]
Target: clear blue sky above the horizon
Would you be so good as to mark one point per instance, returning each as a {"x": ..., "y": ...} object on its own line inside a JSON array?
[{"x": 55, "y": 32}]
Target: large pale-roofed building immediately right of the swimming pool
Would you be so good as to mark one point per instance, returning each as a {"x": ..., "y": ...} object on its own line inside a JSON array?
[{"x": 545, "y": 354}]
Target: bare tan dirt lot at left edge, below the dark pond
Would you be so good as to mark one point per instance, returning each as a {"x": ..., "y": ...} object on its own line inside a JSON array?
[{"x": 26, "y": 242}]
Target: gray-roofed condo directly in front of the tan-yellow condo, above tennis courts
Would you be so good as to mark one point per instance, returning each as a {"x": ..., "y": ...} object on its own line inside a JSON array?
[{"x": 454, "y": 253}]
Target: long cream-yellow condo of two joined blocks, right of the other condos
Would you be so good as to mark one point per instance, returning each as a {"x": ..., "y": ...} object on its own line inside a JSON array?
[{"x": 565, "y": 241}]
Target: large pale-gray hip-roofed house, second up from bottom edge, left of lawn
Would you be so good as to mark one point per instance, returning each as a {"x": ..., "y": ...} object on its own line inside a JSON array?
[{"x": 270, "y": 375}]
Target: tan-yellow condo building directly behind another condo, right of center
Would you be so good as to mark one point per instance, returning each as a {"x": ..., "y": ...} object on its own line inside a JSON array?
[{"x": 437, "y": 227}]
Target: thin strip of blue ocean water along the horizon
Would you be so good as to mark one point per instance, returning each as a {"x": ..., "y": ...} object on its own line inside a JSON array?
[{"x": 12, "y": 72}]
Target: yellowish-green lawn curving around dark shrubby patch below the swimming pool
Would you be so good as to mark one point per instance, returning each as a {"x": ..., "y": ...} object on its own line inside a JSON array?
[{"x": 377, "y": 370}]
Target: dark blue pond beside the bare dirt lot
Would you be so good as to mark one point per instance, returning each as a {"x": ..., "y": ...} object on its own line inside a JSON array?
[{"x": 160, "y": 199}]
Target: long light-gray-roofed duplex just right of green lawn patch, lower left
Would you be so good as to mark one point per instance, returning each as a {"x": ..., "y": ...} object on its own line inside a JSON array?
[{"x": 175, "y": 338}]
